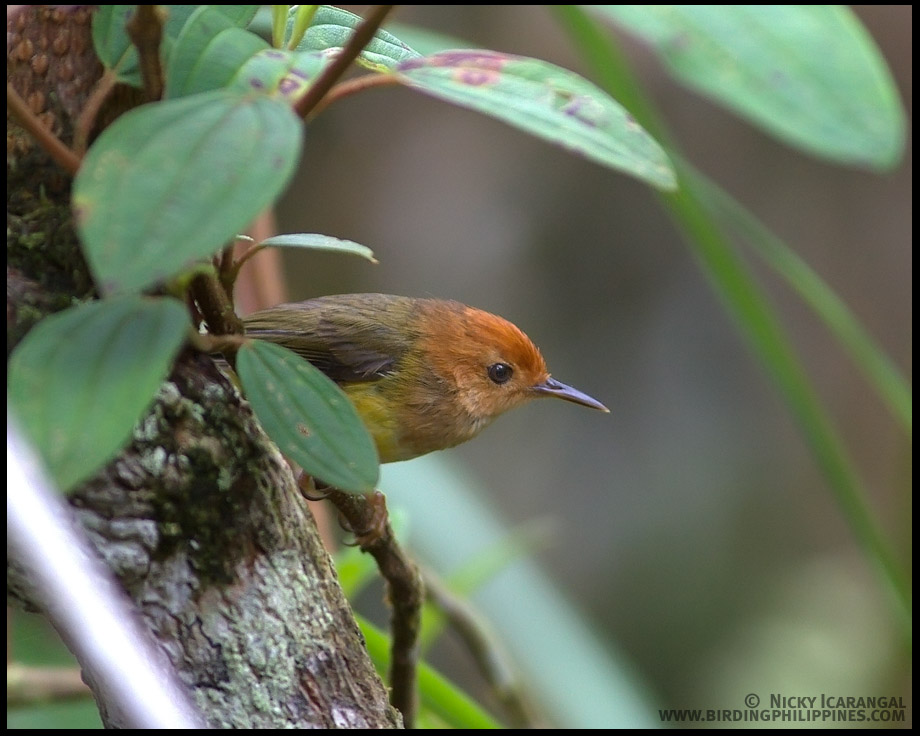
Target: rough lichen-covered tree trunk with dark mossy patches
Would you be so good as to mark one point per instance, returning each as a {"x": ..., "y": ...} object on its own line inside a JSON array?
[{"x": 199, "y": 518}]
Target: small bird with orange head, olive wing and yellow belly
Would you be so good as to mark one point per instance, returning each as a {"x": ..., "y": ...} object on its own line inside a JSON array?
[{"x": 424, "y": 374}]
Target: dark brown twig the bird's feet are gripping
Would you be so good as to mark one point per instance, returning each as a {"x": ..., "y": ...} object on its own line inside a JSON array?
[{"x": 404, "y": 590}]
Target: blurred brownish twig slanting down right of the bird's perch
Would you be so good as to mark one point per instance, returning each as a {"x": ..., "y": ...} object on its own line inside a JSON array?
[{"x": 493, "y": 662}]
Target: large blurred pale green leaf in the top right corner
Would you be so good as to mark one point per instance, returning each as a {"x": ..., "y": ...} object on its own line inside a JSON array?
[{"x": 809, "y": 74}]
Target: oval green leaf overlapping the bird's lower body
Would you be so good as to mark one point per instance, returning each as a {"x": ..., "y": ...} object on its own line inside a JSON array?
[{"x": 310, "y": 419}]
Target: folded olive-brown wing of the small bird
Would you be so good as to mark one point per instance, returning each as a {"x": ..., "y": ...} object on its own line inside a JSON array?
[{"x": 355, "y": 337}]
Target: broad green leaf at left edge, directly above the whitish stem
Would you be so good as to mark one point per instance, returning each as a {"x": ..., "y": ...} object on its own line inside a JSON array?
[{"x": 82, "y": 378}]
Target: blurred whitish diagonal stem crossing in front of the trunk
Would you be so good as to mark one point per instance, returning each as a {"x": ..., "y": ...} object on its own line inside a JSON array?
[{"x": 85, "y": 604}]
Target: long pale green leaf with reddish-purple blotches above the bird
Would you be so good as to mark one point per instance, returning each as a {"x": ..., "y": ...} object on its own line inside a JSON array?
[{"x": 546, "y": 101}]
